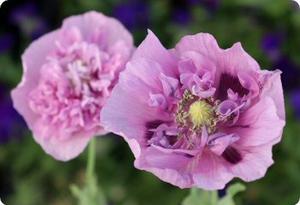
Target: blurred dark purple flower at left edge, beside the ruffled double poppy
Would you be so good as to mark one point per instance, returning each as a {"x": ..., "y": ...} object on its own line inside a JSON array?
[{"x": 11, "y": 123}]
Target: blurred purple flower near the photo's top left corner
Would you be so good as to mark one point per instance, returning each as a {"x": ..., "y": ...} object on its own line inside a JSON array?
[{"x": 27, "y": 18}]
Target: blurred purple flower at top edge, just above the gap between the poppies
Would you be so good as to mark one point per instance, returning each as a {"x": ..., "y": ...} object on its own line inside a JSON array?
[{"x": 132, "y": 14}]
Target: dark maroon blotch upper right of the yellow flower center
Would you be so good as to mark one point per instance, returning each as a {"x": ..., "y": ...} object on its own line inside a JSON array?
[{"x": 228, "y": 81}]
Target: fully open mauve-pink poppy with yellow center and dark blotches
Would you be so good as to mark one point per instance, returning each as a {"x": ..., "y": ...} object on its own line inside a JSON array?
[{"x": 197, "y": 115}]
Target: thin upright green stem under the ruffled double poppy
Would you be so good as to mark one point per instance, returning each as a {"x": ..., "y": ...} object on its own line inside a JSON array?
[{"x": 91, "y": 160}]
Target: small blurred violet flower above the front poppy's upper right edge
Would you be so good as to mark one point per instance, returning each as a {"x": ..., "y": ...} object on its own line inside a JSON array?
[{"x": 271, "y": 44}]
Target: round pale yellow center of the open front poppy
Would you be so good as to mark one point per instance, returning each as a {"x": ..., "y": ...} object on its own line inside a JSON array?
[{"x": 201, "y": 113}]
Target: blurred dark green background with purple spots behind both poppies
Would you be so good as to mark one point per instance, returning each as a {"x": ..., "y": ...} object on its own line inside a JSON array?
[{"x": 269, "y": 31}]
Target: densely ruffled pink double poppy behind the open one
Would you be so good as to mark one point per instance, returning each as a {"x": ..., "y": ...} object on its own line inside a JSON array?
[{"x": 68, "y": 76}]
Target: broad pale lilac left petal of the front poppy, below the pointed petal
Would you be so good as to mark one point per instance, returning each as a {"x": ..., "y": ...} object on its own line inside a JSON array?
[{"x": 127, "y": 110}]
